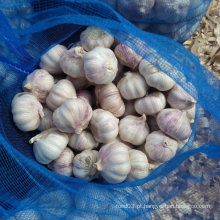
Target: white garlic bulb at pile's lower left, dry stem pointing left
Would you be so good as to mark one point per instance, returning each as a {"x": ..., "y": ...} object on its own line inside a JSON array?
[{"x": 48, "y": 145}]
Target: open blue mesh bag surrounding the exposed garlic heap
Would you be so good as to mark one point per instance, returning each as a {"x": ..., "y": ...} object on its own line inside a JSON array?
[{"x": 29, "y": 190}]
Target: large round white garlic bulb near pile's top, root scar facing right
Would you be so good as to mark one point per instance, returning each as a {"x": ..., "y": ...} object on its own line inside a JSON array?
[{"x": 100, "y": 65}]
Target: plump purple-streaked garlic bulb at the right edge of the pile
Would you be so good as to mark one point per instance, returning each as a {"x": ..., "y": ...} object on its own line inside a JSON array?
[{"x": 174, "y": 123}]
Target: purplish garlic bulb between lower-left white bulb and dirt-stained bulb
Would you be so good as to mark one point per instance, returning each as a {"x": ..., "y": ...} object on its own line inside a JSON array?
[{"x": 64, "y": 163}]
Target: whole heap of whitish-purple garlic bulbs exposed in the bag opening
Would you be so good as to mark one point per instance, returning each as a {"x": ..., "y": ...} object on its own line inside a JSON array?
[{"x": 102, "y": 110}]
